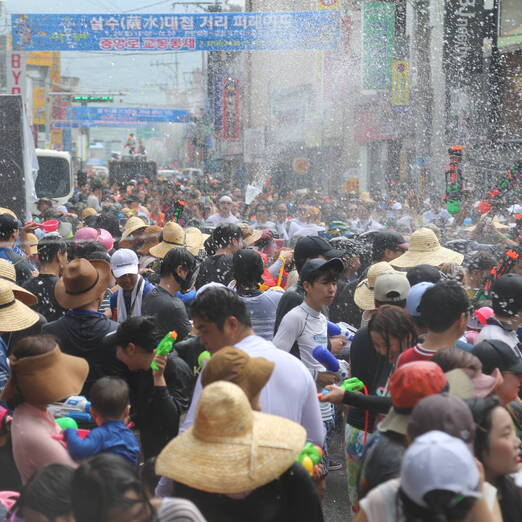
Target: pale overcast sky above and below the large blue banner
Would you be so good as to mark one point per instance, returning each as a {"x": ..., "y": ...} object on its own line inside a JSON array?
[{"x": 115, "y": 72}]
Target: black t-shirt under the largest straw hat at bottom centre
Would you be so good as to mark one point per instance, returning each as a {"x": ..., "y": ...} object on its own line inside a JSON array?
[{"x": 290, "y": 498}]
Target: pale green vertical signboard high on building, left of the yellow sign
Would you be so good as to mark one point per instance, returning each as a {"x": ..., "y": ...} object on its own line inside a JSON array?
[{"x": 377, "y": 44}]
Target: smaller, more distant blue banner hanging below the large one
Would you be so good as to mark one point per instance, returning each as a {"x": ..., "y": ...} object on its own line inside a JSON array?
[{"x": 120, "y": 117}]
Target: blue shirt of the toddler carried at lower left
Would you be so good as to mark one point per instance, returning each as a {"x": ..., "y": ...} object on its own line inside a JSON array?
[{"x": 112, "y": 437}]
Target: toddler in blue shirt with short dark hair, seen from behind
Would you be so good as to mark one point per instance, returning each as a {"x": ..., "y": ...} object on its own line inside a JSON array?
[{"x": 110, "y": 408}]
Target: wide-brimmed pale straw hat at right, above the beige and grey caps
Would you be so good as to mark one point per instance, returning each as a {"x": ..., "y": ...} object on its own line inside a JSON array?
[{"x": 425, "y": 249}]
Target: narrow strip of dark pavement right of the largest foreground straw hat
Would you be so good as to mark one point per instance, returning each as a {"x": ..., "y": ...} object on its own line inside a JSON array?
[{"x": 335, "y": 504}]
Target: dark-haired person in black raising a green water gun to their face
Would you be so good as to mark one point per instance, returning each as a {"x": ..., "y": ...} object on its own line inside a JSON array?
[{"x": 160, "y": 383}]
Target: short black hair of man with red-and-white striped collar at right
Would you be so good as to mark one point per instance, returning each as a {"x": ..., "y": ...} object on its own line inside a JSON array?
[{"x": 442, "y": 305}]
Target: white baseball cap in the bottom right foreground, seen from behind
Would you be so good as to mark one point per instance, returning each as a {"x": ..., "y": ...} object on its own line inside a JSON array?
[{"x": 436, "y": 461}]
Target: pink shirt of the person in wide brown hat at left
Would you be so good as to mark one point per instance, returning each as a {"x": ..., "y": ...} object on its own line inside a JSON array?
[{"x": 33, "y": 446}]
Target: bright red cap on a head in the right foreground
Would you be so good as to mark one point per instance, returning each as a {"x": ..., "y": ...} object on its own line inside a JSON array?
[{"x": 413, "y": 381}]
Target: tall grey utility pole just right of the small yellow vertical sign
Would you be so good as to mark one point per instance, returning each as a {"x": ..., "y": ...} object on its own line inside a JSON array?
[{"x": 423, "y": 89}]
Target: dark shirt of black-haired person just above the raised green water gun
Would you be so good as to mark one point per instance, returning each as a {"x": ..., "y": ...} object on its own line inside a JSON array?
[{"x": 169, "y": 310}]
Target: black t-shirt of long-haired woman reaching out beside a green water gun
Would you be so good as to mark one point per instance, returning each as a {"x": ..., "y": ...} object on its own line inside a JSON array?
[{"x": 372, "y": 369}]
